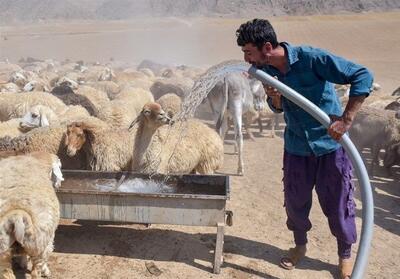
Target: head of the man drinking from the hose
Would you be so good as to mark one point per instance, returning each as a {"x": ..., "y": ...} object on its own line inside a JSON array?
[{"x": 258, "y": 40}]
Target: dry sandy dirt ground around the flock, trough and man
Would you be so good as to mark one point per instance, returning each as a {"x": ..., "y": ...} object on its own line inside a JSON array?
[{"x": 254, "y": 244}]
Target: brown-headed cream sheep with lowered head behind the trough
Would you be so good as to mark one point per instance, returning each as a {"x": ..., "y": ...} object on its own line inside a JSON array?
[{"x": 105, "y": 149}]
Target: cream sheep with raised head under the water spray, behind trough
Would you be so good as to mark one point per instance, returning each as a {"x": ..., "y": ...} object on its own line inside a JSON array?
[{"x": 184, "y": 147}]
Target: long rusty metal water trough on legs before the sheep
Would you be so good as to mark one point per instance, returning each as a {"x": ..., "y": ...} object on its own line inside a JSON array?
[{"x": 196, "y": 200}]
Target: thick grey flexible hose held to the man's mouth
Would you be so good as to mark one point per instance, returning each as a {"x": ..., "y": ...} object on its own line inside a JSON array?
[{"x": 361, "y": 172}]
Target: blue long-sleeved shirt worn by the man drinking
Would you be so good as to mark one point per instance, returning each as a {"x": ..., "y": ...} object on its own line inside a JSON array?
[{"x": 312, "y": 72}]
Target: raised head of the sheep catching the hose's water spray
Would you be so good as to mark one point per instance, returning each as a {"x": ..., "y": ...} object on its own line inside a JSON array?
[{"x": 152, "y": 116}]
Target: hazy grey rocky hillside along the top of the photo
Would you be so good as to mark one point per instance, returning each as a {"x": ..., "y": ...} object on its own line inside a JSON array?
[{"x": 13, "y": 11}]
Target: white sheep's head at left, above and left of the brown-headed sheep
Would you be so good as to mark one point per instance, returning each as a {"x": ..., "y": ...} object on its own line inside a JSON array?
[{"x": 37, "y": 116}]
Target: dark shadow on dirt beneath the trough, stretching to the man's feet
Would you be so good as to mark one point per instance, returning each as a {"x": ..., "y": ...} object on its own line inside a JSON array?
[{"x": 90, "y": 237}]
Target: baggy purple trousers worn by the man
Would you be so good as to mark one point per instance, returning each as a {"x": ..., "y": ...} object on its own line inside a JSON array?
[{"x": 331, "y": 174}]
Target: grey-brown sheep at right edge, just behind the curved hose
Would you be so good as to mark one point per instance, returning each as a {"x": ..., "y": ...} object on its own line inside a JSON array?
[{"x": 376, "y": 129}]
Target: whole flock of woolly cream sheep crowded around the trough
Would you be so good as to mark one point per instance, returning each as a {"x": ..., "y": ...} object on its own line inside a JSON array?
[{"x": 106, "y": 118}]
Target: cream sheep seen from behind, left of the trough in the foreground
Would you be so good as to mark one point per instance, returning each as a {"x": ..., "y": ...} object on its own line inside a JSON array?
[{"x": 29, "y": 211}]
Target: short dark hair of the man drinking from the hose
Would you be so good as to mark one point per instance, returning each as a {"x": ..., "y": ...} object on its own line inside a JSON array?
[{"x": 258, "y": 32}]
